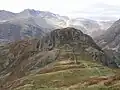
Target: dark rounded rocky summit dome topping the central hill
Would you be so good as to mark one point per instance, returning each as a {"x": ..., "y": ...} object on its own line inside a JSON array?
[{"x": 69, "y": 36}]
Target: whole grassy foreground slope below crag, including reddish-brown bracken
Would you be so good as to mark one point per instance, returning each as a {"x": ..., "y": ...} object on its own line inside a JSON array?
[{"x": 66, "y": 74}]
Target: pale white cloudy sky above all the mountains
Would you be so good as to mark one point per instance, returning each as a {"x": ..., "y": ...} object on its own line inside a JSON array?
[{"x": 95, "y": 9}]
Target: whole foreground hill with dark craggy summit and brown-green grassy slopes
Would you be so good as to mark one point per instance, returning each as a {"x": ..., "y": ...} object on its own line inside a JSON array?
[{"x": 62, "y": 59}]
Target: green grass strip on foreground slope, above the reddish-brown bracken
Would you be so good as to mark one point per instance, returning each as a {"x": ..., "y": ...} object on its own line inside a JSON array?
[{"x": 65, "y": 76}]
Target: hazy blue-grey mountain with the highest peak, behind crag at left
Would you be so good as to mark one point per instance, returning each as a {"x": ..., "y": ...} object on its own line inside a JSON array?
[{"x": 28, "y": 24}]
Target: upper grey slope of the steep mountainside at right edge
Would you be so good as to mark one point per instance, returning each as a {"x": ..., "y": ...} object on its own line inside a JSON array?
[{"x": 111, "y": 36}]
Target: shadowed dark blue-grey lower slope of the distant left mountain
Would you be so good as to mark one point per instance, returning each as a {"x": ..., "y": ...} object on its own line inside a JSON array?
[{"x": 12, "y": 32}]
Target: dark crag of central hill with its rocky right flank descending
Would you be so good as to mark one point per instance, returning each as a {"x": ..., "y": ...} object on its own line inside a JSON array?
[{"x": 78, "y": 41}]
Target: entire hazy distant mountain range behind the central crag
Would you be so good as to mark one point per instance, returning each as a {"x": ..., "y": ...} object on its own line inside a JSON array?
[{"x": 33, "y": 23}]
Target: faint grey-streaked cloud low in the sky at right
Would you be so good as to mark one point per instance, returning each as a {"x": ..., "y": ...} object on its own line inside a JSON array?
[{"x": 99, "y": 11}]
